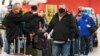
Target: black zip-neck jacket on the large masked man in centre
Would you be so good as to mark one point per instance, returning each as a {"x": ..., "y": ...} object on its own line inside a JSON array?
[{"x": 64, "y": 29}]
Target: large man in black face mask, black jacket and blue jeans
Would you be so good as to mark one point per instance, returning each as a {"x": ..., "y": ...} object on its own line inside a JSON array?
[{"x": 63, "y": 31}]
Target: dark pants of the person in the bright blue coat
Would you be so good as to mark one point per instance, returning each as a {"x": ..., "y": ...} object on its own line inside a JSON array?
[{"x": 85, "y": 45}]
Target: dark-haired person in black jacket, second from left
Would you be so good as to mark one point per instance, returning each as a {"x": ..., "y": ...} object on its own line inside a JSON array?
[{"x": 32, "y": 25}]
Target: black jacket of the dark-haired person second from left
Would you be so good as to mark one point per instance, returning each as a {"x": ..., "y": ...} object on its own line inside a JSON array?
[{"x": 32, "y": 24}]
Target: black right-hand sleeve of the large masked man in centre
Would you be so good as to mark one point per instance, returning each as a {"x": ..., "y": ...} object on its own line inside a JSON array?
[{"x": 73, "y": 27}]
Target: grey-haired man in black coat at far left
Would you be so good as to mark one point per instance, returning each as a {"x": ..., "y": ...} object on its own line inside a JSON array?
[{"x": 13, "y": 23}]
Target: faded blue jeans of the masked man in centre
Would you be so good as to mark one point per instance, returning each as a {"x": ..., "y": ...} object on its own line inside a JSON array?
[{"x": 61, "y": 49}]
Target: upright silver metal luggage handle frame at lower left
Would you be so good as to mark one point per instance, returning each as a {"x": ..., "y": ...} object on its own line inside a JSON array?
[{"x": 19, "y": 47}]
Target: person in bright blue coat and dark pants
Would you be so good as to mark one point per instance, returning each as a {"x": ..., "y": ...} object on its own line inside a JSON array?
[{"x": 84, "y": 23}]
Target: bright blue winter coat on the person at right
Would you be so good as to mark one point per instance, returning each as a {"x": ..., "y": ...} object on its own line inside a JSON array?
[{"x": 83, "y": 21}]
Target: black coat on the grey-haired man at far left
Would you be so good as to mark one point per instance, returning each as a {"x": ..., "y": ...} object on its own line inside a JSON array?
[{"x": 13, "y": 26}]
